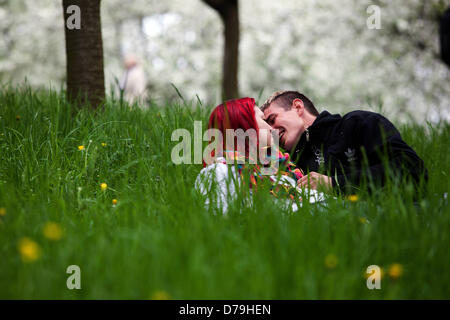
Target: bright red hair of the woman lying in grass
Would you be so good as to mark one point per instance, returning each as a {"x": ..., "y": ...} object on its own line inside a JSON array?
[{"x": 234, "y": 114}]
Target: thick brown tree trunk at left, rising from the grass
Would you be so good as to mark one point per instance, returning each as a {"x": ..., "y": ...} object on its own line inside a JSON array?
[{"x": 84, "y": 52}]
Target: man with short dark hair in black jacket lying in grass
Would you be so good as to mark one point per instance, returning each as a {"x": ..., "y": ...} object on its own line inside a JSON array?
[{"x": 340, "y": 152}]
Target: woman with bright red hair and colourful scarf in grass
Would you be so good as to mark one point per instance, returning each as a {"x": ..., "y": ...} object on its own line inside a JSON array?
[{"x": 234, "y": 158}]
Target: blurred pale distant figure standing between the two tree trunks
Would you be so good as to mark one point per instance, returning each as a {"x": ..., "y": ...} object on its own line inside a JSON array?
[{"x": 133, "y": 82}]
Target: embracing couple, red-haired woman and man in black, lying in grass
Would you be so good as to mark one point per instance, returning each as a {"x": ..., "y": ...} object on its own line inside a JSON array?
[{"x": 320, "y": 152}]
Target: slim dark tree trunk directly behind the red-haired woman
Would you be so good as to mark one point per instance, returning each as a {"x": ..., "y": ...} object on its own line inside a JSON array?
[{"x": 229, "y": 13}]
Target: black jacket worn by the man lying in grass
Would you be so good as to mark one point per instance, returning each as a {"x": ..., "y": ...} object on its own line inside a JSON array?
[{"x": 335, "y": 146}]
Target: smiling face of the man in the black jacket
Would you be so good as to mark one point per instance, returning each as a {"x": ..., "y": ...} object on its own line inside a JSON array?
[{"x": 289, "y": 123}]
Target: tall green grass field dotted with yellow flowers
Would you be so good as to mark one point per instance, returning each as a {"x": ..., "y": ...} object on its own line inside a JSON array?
[{"x": 158, "y": 240}]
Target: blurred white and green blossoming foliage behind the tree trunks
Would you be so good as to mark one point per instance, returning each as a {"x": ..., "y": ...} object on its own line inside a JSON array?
[{"x": 323, "y": 49}]
